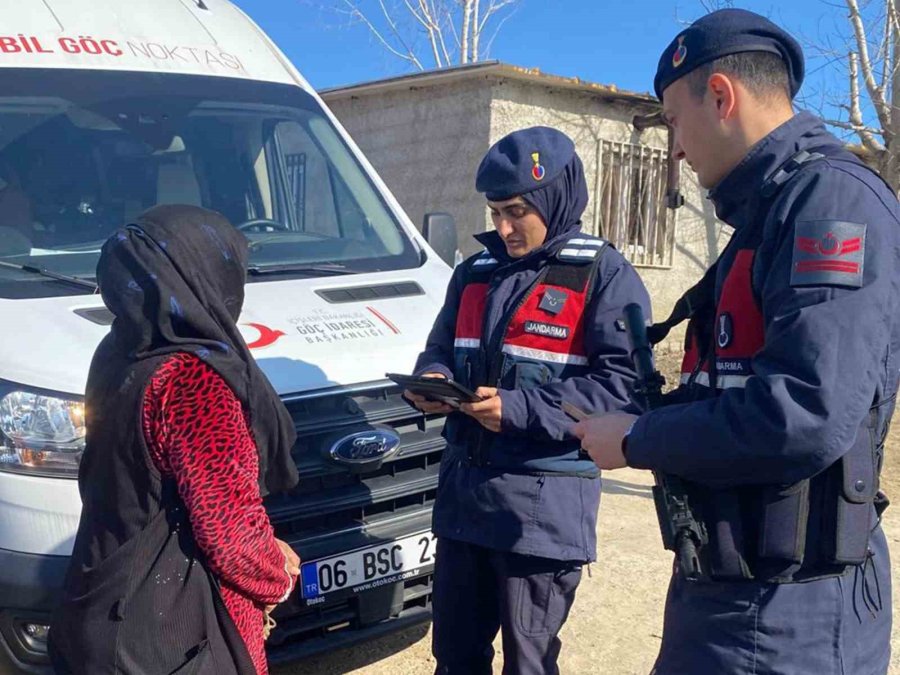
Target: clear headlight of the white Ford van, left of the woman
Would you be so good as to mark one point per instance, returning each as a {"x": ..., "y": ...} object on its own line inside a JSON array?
[{"x": 41, "y": 434}]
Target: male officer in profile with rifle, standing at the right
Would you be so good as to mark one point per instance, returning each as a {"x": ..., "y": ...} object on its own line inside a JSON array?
[{"x": 789, "y": 377}]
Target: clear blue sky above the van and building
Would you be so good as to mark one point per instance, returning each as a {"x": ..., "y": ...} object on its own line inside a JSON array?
[{"x": 608, "y": 41}]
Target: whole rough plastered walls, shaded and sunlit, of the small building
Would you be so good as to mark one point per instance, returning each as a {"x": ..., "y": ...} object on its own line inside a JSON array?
[{"x": 426, "y": 142}]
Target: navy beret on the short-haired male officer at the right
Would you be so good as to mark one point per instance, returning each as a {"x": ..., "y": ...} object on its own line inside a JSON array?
[{"x": 727, "y": 31}]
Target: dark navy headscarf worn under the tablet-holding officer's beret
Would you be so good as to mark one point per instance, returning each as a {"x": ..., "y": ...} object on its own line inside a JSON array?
[{"x": 562, "y": 202}]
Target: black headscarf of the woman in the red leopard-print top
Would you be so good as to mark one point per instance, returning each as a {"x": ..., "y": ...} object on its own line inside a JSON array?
[{"x": 175, "y": 282}]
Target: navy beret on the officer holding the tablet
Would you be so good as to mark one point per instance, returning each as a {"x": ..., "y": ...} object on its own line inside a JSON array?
[{"x": 524, "y": 161}]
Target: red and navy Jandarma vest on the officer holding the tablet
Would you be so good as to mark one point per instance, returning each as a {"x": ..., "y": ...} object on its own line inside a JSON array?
[{"x": 539, "y": 342}]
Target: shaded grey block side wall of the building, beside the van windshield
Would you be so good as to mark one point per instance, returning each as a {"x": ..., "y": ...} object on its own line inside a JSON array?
[{"x": 425, "y": 143}]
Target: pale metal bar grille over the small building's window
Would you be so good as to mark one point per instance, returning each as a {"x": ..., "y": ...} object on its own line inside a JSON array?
[{"x": 629, "y": 202}]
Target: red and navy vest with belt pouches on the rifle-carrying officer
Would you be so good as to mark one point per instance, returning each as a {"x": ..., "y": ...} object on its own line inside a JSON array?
[{"x": 778, "y": 533}]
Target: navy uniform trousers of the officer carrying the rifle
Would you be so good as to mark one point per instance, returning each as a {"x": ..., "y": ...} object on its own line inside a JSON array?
[{"x": 831, "y": 626}]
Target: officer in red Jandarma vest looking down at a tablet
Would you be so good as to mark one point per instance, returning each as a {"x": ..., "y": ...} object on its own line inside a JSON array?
[{"x": 528, "y": 323}]
